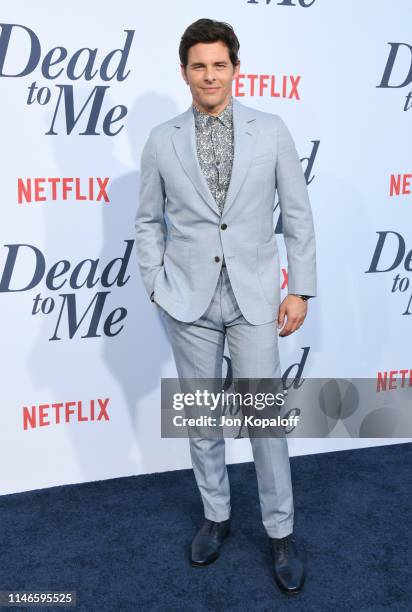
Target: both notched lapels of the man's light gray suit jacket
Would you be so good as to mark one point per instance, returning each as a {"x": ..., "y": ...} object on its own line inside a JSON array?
[{"x": 245, "y": 133}]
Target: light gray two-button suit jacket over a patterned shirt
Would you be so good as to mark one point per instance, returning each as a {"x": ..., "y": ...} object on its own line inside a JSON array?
[{"x": 181, "y": 236}]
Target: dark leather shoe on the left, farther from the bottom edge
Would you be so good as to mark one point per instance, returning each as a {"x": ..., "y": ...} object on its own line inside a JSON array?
[{"x": 207, "y": 542}]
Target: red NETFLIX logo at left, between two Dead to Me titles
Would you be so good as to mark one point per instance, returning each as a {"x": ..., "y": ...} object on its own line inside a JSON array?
[{"x": 92, "y": 189}]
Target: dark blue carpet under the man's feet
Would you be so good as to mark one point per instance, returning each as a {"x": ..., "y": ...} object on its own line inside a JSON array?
[{"x": 122, "y": 544}]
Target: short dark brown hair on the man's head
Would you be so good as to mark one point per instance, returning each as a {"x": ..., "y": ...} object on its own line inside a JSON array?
[{"x": 209, "y": 30}]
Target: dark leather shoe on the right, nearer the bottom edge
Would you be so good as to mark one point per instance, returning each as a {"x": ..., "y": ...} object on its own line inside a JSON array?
[{"x": 288, "y": 568}]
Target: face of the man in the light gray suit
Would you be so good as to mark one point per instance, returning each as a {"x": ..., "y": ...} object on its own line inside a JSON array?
[{"x": 209, "y": 73}]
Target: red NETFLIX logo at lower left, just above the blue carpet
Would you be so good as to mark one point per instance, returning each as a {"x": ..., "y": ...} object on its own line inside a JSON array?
[{"x": 60, "y": 413}]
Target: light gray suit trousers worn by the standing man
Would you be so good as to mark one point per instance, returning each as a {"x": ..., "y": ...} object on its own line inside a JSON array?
[{"x": 198, "y": 349}]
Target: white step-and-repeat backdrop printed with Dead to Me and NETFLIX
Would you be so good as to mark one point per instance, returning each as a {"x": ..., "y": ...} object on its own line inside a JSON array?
[{"x": 82, "y": 84}]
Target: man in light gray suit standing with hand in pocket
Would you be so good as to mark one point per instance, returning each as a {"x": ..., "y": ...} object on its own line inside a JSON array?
[{"x": 208, "y": 258}]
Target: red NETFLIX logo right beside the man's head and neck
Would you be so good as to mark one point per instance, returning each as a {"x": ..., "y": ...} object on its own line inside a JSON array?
[{"x": 267, "y": 85}]
